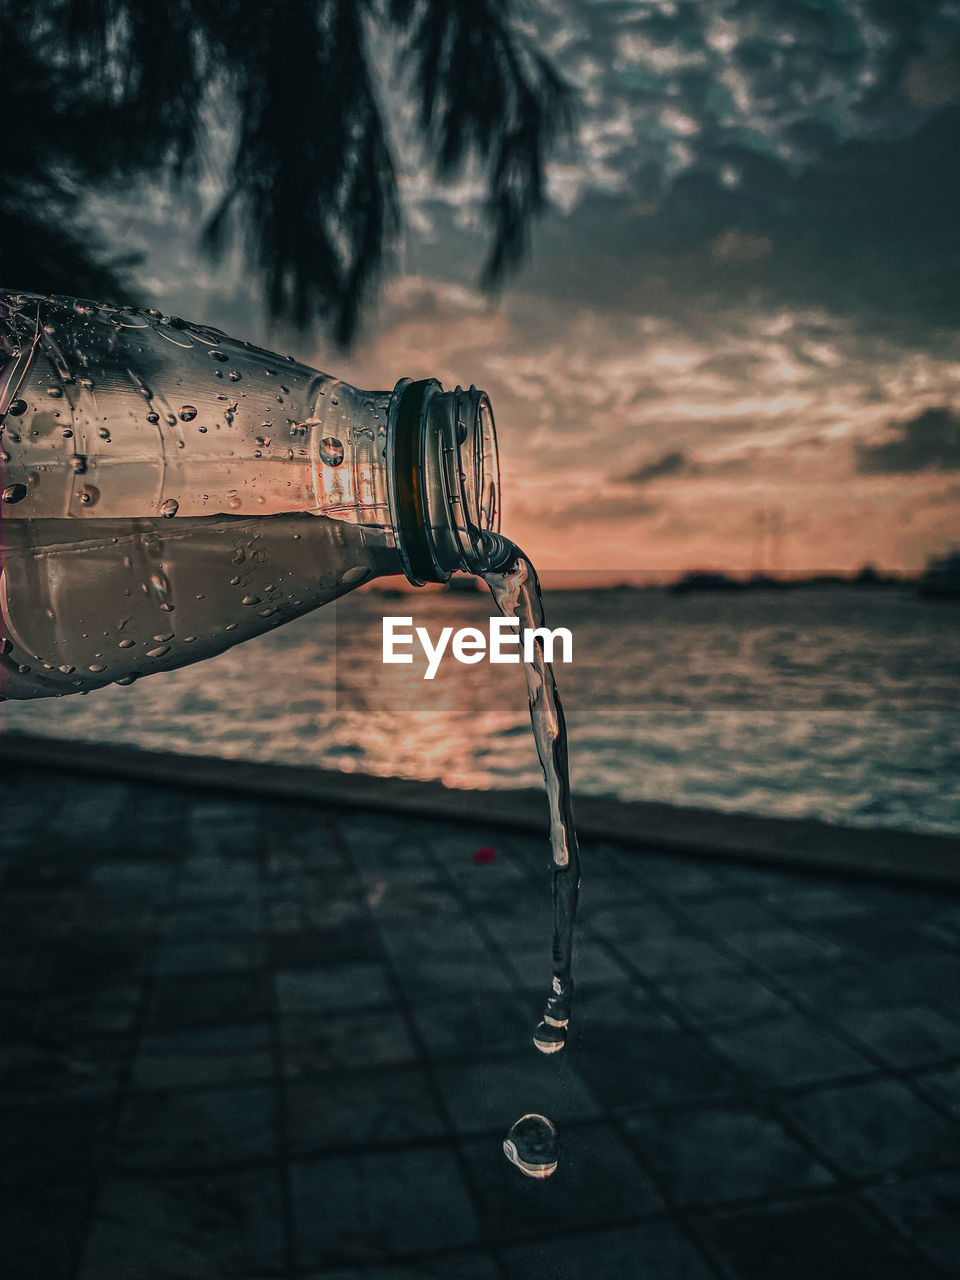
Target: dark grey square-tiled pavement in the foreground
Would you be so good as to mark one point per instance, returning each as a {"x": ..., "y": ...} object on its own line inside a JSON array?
[{"x": 255, "y": 1039}]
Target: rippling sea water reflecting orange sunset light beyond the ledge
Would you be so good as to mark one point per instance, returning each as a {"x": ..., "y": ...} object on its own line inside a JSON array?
[{"x": 840, "y": 705}]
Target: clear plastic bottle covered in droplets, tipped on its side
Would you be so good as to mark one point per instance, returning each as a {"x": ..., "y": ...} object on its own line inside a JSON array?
[{"x": 170, "y": 492}]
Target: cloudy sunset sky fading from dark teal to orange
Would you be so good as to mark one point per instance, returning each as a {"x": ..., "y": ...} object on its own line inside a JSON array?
[{"x": 737, "y": 342}]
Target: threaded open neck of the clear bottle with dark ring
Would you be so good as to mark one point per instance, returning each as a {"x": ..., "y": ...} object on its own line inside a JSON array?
[{"x": 444, "y": 481}]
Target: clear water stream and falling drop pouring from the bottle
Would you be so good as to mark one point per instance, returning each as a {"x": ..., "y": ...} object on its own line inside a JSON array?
[{"x": 516, "y": 592}]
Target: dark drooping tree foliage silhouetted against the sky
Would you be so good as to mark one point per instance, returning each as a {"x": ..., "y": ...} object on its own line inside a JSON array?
[{"x": 99, "y": 93}]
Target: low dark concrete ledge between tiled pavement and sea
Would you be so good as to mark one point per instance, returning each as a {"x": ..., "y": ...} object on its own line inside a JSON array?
[{"x": 881, "y": 853}]
